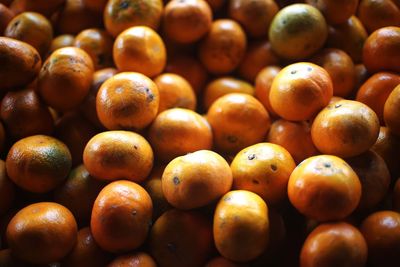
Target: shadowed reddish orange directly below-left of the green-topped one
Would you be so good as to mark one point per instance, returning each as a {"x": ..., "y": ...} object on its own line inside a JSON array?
[{"x": 258, "y": 56}]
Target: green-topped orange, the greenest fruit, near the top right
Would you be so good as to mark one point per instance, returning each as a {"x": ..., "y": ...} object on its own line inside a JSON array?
[{"x": 297, "y": 31}]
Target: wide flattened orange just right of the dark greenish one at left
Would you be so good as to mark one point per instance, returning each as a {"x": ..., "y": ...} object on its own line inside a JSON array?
[{"x": 115, "y": 155}]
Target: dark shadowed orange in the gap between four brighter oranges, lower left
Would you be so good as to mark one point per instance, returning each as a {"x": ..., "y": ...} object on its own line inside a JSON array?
[{"x": 78, "y": 193}]
